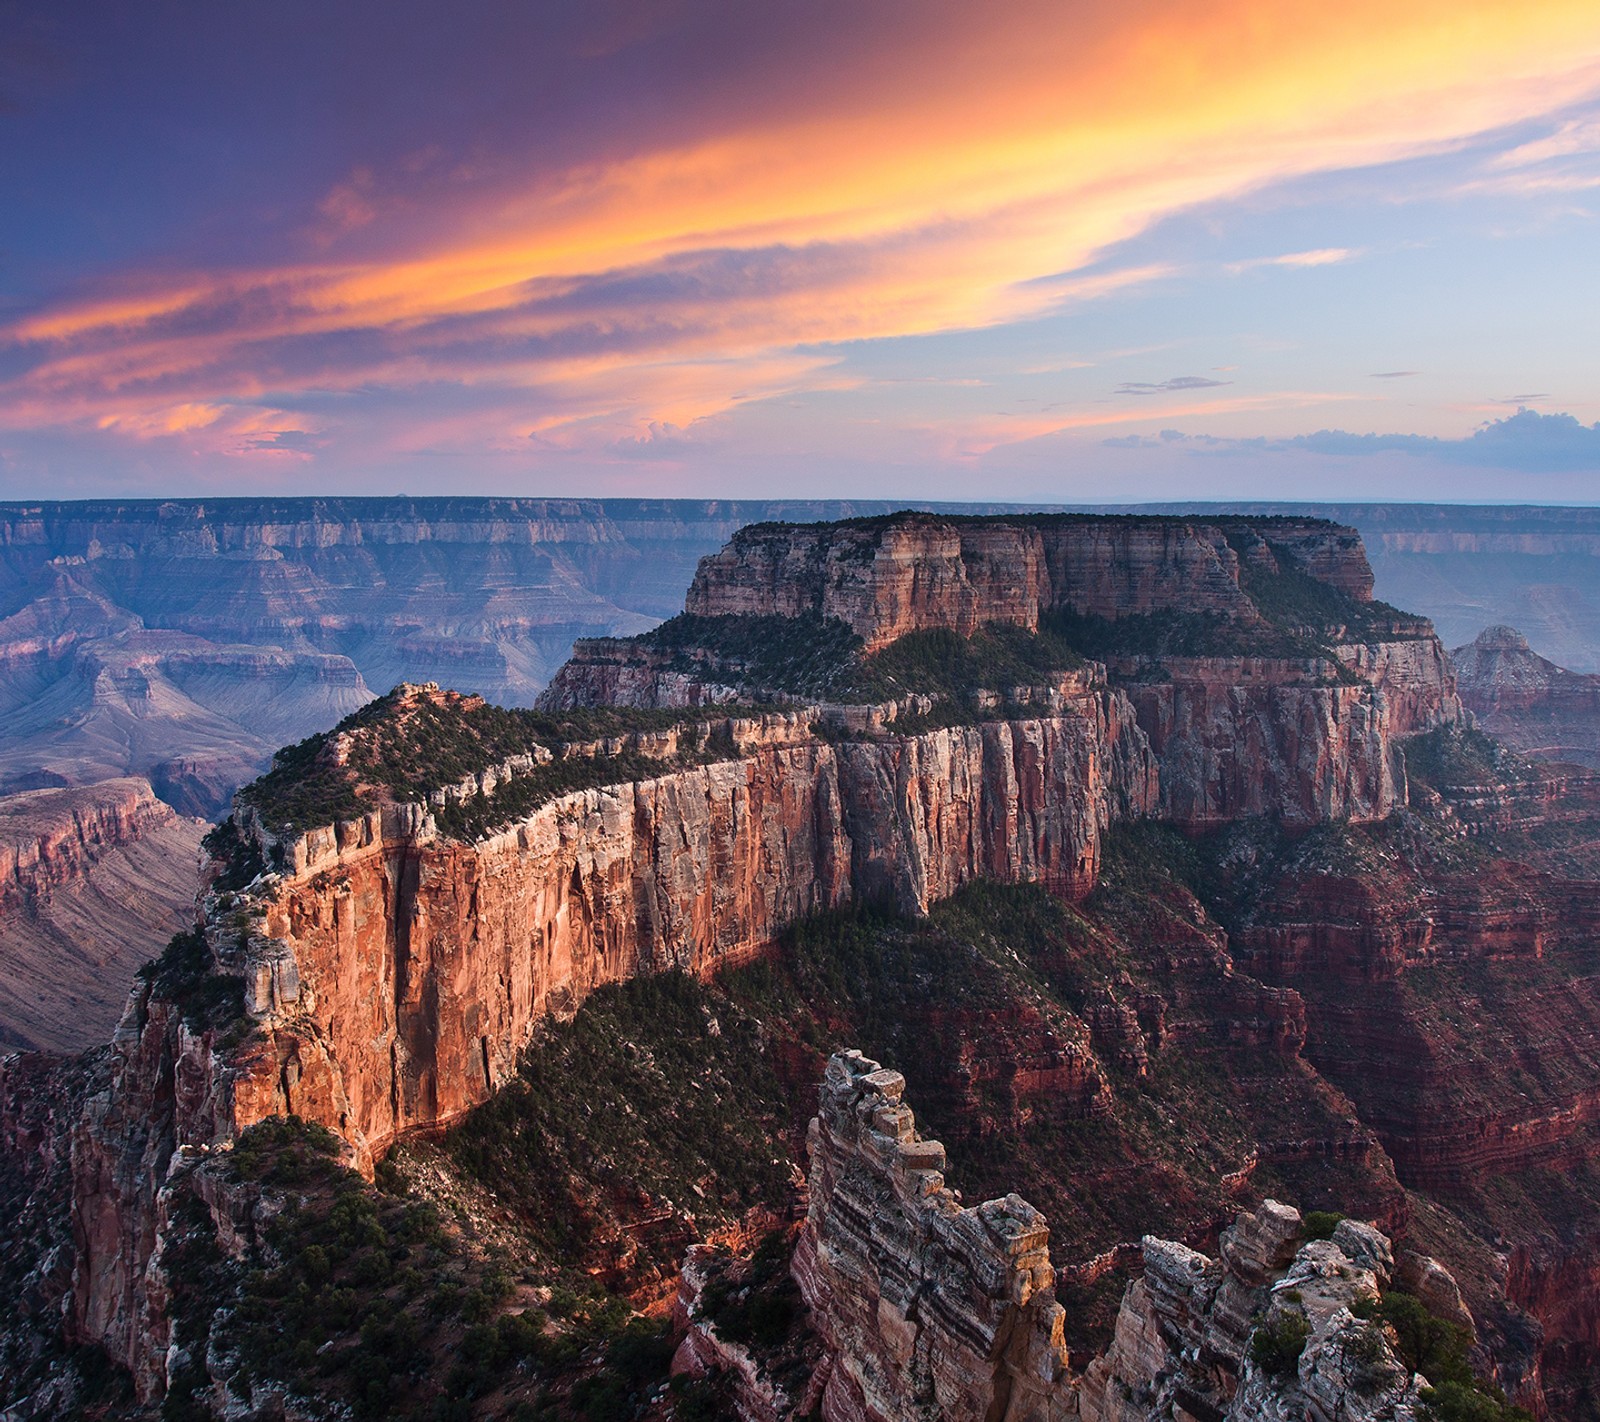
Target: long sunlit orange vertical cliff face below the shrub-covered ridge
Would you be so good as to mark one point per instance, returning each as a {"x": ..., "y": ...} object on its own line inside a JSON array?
[{"x": 402, "y": 975}]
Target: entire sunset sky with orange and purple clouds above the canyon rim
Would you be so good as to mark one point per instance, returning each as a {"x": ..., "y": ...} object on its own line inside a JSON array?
[{"x": 1082, "y": 252}]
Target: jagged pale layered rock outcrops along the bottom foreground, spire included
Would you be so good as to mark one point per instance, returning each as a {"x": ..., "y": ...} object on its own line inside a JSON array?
[{"x": 929, "y": 1309}]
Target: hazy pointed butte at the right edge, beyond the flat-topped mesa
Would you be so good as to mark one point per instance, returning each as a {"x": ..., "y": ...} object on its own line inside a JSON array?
[{"x": 1527, "y": 701}]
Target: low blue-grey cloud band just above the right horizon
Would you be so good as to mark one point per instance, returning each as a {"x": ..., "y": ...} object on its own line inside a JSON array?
[{"x": 1526, "y": 442}]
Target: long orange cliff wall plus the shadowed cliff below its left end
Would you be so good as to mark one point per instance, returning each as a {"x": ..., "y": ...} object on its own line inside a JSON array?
[{"x": 393, "y": 981}]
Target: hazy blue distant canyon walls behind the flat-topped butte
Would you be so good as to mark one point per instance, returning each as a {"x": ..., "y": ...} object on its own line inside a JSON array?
[{"x": 185, "y": 641}]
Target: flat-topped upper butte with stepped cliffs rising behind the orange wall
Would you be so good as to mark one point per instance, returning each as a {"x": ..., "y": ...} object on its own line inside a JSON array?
[{"x": 1258, "y": 666}]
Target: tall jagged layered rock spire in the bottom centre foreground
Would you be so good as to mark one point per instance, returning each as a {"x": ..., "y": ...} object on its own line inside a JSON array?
[{"x": 927, "y": 1309}]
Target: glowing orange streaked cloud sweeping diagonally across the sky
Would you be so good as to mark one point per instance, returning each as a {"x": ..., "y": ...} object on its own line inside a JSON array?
[{"x": 945, "y": 182}]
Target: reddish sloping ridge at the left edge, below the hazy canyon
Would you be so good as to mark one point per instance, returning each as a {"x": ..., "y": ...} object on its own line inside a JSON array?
[{"x": 94, "y": 882}]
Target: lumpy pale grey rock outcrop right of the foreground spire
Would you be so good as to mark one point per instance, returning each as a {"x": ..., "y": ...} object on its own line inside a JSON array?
[{"x": 1185, "y": 1343}]
